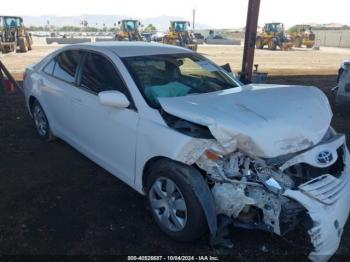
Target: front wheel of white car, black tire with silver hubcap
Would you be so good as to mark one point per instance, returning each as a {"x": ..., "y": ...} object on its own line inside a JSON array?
[{"x": 179, "y": 215}]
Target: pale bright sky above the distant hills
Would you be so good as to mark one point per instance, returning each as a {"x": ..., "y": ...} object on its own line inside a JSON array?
[{"x": 215, "y": 13}]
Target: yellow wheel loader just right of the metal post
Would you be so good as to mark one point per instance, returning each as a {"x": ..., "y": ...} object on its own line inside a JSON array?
[{"x": 273, "y": 35}]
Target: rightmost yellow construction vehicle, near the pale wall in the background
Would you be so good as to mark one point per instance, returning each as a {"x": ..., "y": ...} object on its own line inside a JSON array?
[{"x": 302, "y": 35}]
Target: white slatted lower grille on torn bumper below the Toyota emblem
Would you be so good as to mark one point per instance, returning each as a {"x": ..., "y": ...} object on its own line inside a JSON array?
[{"x": 327, "y": 189}]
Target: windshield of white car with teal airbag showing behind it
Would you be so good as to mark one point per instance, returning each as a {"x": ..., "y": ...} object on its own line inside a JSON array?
[{"x": 176, "y": 75}]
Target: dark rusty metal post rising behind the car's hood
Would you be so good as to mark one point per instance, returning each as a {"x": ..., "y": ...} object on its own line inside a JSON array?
[{"x": 249, "y": 41}]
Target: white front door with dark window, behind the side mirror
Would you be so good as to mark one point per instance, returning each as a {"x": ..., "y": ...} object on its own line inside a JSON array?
[{"x": 106, "y": 134}]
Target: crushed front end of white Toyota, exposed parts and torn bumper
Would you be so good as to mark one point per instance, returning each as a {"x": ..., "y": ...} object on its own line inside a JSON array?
[{"x": 242, "y": 185}]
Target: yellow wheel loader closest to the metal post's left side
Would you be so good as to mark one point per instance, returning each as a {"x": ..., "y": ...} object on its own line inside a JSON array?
[{"x": 179, "y": 35}]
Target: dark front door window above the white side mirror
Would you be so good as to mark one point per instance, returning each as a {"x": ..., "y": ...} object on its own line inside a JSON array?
[{"x": 99, "y": 74}]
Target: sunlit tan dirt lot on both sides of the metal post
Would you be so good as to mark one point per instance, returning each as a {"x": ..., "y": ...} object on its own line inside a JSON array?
[{"x": 299, "y": 61}]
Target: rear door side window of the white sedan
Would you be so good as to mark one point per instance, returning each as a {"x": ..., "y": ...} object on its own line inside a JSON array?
[{"x": 66, "y": 65}]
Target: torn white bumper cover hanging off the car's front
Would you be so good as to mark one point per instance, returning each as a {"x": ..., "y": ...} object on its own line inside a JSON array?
[{"x": 326, "y": 199}]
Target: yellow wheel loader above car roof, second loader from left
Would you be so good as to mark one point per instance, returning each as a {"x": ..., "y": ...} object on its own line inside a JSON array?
[{"x": 129, "y": 30}]
